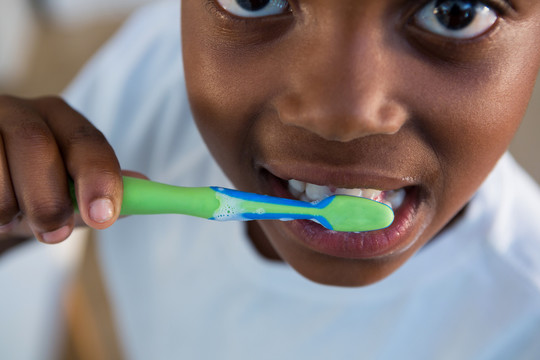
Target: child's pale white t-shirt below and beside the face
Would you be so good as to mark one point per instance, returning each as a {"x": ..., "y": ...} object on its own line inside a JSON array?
[{"x": 187, "y": 288}]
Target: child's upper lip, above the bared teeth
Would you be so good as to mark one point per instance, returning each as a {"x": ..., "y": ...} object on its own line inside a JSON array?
[{"x": 350, "y": 177}]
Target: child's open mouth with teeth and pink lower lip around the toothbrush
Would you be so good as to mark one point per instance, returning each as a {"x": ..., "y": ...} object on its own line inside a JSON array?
[{"x": 404, "y": 201}]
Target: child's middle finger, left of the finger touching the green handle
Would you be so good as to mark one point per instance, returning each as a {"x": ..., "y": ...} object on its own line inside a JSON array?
[{"x": 37, "y": 171}]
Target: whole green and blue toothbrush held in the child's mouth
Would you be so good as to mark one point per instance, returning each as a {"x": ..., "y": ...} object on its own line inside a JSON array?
[{"x": 337, "y": 212}]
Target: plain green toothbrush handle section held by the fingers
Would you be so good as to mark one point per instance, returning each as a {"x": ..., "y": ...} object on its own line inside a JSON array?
[{"x": 145, "y": 197}]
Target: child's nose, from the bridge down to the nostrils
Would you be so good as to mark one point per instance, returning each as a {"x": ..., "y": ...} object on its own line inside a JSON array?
[{"x": 344, "y": 88}]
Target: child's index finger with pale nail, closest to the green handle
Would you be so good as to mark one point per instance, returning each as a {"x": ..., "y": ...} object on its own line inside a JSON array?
[{"x": 90, "y": 161}]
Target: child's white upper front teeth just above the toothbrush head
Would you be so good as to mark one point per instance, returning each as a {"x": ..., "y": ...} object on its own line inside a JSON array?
[{"x": 311, "y": 192}]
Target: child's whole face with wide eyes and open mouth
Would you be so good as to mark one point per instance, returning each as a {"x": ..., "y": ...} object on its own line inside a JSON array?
[{"x": 416, "y": 98}]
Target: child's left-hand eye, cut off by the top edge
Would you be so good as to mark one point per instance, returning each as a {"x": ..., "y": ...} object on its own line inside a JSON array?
[{"x": 254, "y": 8}]
